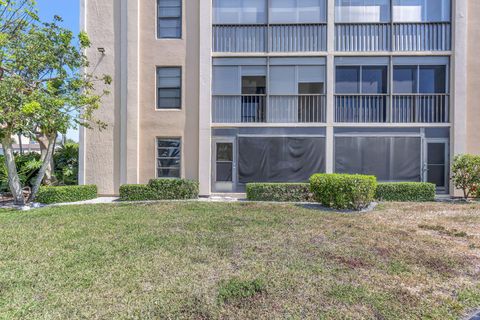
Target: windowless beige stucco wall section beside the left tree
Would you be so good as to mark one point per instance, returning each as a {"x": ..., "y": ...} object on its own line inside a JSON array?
[{"x": 101, "y": 154}]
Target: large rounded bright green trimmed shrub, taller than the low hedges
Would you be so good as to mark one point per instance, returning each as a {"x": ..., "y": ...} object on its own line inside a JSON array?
[{"x": 343, "y": 191}]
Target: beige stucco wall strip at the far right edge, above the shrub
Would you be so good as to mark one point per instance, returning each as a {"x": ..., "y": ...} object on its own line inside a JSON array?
[{"x": 473, "y": 77}]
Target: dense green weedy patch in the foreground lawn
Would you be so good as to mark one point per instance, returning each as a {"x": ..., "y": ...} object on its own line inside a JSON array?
[{"x": 236, "y": 289}]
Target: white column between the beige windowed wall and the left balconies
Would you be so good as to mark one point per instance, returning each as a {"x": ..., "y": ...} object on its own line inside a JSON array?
[{"x": 205, "y": 98}]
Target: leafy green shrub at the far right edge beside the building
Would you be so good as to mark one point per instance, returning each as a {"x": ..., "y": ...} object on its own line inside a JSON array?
[{"x": 466, "y": 174}]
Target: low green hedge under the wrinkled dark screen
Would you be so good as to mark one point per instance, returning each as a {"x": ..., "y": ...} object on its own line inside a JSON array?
[{"x": 282, "y": 192}]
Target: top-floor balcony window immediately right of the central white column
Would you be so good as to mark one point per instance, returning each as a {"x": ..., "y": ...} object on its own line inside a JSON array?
[{"x": 353, "y": 11}]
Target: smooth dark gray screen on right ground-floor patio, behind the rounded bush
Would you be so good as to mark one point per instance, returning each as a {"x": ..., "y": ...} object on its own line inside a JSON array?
[{"x": 387, "y": 158}]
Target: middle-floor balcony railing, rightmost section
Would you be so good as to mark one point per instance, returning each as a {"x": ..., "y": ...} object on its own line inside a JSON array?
[{"x": 420, "y": 108}]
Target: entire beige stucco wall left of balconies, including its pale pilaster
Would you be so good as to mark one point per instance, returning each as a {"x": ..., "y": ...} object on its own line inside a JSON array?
[{"x": 126, "y": 151}]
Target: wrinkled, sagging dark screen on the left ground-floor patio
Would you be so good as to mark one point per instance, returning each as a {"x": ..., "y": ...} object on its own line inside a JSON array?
[{"x": 280, "y": 159}]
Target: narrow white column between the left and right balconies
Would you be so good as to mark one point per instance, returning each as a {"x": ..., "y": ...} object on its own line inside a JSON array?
[{"x": 330, "y": 86}]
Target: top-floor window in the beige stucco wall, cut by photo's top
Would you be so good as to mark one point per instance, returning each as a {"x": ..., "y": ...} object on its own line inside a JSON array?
[{"x": 169, "y": 19}]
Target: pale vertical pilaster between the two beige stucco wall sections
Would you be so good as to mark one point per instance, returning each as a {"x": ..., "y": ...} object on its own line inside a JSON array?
[{"x": 129, "y": 101}]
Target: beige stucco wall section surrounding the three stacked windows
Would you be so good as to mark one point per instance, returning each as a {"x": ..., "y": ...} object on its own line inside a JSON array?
[{"x": 168, "y": 123}]
